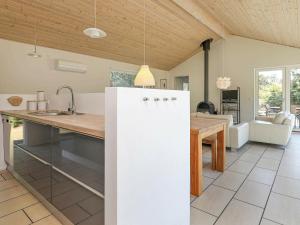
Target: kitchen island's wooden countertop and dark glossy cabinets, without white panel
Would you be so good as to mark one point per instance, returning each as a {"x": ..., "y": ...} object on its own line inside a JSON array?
[{"x": 61, "y": 160}]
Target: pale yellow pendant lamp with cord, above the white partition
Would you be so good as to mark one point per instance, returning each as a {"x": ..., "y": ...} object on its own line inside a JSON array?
[{"x": 144, "y": 77}]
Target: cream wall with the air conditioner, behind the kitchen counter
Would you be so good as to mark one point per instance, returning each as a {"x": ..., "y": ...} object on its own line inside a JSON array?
[{"x": 23, "y": 74}]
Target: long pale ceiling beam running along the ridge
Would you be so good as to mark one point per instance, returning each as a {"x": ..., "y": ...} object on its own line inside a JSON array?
[{"x": 194, "y": 9}]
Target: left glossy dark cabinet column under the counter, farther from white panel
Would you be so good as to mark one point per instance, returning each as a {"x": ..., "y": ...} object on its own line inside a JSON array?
[{"x": 32, "y": 157}]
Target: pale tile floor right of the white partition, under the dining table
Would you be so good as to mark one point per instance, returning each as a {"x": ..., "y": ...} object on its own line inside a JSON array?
[{"x": 260, "y": 186}]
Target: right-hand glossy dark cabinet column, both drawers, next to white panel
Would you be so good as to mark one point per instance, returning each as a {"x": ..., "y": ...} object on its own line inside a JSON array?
[{"x": 78, "y": 177}]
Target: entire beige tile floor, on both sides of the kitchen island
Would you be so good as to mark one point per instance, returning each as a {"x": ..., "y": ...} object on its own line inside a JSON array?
[{"x": 260, "y": 186}]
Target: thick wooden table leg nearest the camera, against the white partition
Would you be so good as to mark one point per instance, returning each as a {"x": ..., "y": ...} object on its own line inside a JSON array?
[{"x": 196, "y": 164}]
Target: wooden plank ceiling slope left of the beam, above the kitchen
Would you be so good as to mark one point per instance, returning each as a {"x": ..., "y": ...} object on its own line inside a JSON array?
[{"x": 172, "y": 34}]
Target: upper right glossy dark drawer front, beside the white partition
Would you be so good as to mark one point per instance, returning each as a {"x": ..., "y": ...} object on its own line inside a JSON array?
[{"x": 79, "y": 156}]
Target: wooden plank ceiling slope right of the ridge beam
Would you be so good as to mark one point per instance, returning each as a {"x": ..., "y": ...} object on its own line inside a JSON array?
[{"x": 275, "y": 21}]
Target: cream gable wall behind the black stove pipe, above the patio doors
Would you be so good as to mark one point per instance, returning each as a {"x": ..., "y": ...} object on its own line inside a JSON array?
[{"x": 241, "y": 57}]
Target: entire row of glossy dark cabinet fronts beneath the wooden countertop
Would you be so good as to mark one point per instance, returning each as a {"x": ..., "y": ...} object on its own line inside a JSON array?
[{"x": 65, "y": 168}]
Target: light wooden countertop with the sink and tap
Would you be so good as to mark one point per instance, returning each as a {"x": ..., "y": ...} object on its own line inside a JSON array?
[{"x": 88, "y": 124}]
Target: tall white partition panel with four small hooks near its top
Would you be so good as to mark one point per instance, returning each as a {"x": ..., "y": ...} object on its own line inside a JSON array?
[{"x": 147, "y": 157}]
